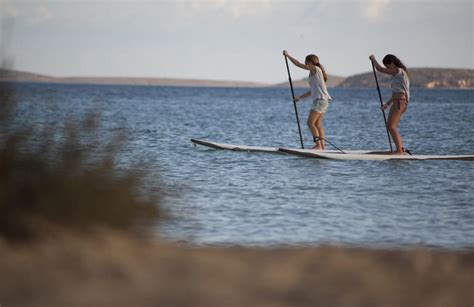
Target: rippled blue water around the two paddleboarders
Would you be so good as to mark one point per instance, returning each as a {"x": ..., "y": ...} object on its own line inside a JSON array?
[{"x": 222, "y": 197}]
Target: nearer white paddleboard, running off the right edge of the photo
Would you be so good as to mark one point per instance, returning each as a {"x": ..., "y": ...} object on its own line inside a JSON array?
[{"x": 374, "y": 156}]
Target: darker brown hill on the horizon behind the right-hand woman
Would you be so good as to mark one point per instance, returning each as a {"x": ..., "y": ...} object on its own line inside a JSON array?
[{"x": 419, "y": 77}]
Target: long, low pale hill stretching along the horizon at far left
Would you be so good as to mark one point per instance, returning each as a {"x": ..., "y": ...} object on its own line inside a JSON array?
[{"x": 12, "y": 75}]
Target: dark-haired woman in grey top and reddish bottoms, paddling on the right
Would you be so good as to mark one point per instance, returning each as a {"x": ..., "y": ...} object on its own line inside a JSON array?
[{"x": 398, "y": 103}]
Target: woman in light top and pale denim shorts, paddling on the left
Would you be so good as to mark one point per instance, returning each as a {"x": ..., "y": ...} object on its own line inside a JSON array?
[{"x": 319, "y": 94}]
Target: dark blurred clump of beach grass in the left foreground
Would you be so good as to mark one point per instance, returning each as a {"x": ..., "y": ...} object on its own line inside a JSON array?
[{"x": 63, "y": 182}]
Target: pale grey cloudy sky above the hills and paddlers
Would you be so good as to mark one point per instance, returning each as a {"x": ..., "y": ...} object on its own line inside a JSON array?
[{"x": 231, "y": 39}]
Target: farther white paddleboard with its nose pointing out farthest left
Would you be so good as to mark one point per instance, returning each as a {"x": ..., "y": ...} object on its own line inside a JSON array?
[{"x": 268, "y": 149}]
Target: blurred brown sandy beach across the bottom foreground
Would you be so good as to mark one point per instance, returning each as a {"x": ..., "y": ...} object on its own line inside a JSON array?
[{"x": 113, "y": 270}]
